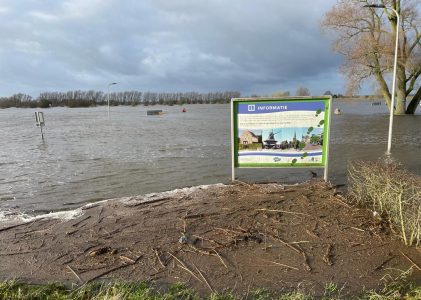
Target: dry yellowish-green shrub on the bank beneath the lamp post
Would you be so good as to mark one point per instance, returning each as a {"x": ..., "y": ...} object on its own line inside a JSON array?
[{"x": 392, "y": 192}]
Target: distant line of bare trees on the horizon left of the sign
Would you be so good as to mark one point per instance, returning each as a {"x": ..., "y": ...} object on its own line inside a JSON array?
[{"x": 94, "y": 98}]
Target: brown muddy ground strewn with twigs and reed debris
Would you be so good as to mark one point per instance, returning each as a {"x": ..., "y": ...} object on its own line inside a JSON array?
[{"x": 236, "y": 237}]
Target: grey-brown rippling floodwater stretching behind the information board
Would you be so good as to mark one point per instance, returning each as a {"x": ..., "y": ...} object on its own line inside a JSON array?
[{"x": 87, "y": 157}]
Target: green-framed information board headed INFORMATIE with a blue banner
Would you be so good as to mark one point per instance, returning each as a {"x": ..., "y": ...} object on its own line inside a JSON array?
[{"x": 273, "y": 132}]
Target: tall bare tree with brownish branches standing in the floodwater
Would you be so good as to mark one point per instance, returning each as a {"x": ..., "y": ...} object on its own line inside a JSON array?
[{"x": 366, "y": 38}]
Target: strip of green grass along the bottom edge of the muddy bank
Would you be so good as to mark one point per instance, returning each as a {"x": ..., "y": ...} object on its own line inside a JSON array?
[{"x": 394, "y": 288}]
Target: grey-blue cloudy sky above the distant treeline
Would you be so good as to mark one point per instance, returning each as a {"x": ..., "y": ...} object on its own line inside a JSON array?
[{"x": 253, "y": 46}]
